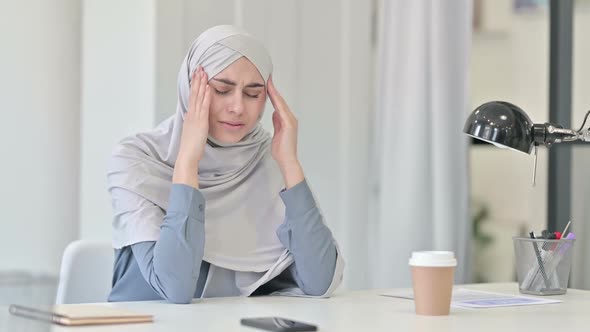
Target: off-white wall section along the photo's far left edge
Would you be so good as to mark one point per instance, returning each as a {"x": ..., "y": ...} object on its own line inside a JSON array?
[{"x": 39, "y": 101}]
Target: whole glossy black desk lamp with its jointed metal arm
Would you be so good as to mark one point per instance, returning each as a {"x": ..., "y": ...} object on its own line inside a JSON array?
[{"x": 507, "y": 126}]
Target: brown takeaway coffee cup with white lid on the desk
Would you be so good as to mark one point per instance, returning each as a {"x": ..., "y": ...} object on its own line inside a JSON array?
[{"x": 432, "y": 280}]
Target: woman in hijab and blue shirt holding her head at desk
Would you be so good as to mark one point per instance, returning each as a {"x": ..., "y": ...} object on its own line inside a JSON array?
[{"x": 208, "y": 204}]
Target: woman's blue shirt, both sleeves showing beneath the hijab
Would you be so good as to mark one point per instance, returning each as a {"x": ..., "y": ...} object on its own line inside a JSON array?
[{"x": 173, "y": 268}]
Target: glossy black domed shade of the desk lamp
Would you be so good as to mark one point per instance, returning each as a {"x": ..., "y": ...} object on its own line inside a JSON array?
[{"x": 502, "y": 124}]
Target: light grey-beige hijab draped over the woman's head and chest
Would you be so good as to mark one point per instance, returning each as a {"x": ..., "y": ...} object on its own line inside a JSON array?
[{"x": 240, "y": 181}]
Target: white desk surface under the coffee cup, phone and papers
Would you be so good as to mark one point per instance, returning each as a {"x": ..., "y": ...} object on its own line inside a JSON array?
[{"x": 353, "y": 311}]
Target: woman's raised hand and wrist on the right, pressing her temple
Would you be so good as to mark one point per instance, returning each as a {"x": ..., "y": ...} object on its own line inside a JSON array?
[{"x": 284, "y": 141}]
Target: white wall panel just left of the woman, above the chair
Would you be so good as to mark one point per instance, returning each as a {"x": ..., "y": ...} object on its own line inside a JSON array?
[{"x": 118, "y": 95}]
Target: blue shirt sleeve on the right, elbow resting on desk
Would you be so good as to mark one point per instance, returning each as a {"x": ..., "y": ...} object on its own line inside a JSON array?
[{"x": 310, "y": 241}]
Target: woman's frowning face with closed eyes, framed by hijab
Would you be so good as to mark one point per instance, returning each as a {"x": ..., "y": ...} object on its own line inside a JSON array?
[{"x": 237, "y": 101}]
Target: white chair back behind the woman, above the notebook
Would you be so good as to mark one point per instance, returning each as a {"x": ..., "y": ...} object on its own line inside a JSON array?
[{"x": 86, "y": 272}]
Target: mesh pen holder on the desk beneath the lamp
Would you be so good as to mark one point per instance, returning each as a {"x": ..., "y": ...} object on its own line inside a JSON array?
[{"x": 543, "y": 266}]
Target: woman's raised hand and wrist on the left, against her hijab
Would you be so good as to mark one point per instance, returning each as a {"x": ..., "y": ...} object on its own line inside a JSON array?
[{"x": 195, "y": 131}]
